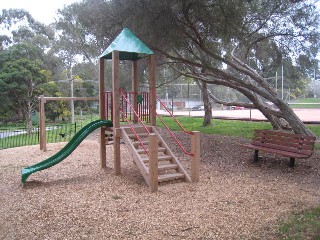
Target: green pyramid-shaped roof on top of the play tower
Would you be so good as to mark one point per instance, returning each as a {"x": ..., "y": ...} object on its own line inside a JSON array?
[{"x": 129, "y": 46}]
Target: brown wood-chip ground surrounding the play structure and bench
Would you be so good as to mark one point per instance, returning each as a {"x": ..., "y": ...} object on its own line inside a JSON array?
[{"x": 76, "y": 199}]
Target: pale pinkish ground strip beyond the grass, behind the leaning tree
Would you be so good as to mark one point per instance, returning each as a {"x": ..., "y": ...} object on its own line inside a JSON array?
[{"x": 306, "y": 115}]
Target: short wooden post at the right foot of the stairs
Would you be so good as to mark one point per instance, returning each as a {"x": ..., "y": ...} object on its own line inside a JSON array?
[{"x": 195, "y": 149}]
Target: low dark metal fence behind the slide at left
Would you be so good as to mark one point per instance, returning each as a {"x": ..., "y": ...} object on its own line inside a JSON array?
[{"x": 16, "y": 137}]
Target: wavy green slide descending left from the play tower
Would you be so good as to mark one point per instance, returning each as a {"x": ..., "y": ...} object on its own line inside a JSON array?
[{"x": 66, "y": 151}]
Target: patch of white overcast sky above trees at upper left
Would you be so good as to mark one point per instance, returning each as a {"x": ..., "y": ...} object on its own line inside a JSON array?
[{"x": 42, "y": 10}]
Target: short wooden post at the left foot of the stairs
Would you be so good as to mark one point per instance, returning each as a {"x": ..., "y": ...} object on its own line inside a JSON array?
[{"x": 153, "y": 162}]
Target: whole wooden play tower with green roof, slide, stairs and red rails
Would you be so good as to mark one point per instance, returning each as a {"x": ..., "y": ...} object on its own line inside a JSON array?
[{"x": 148, "y": 149}]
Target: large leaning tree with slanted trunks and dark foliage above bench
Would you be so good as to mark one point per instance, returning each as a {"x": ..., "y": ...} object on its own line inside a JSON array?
[{"x": 230, "y": 43}]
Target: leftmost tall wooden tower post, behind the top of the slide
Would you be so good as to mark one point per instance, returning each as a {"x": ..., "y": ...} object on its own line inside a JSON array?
[{"x": 102, "y": 113}]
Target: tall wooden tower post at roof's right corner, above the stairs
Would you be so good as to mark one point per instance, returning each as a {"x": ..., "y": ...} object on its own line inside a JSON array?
[{"x": 152, "y": 90}]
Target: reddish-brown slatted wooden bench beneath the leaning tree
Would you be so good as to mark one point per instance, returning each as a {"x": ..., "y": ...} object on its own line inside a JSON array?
[{"x": 282, "y": 143}]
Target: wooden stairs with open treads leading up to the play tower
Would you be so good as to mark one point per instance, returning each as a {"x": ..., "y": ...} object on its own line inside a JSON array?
[{"x": 169, "y": 168}]
